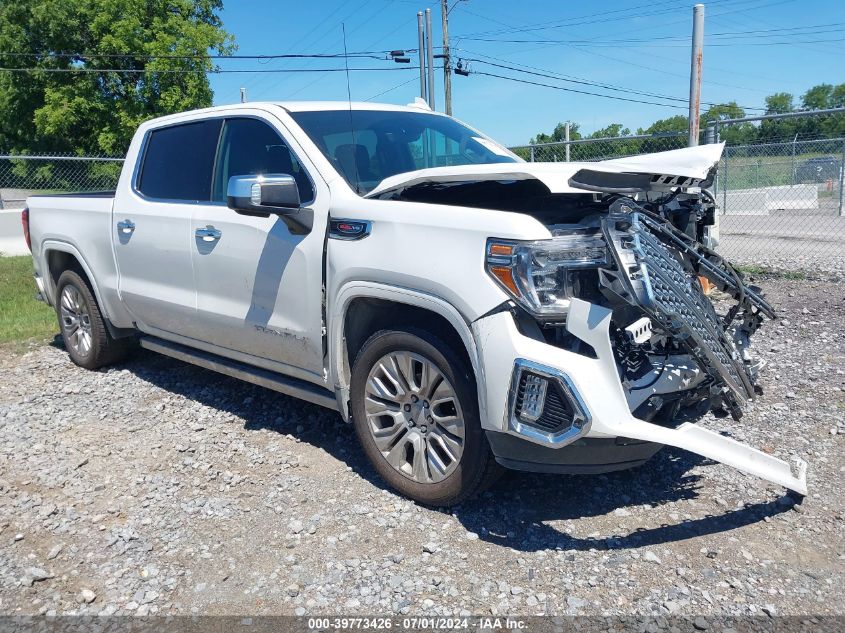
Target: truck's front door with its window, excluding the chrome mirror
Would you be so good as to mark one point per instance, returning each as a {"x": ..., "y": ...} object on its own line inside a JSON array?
[{"x": 259, "y": 288}]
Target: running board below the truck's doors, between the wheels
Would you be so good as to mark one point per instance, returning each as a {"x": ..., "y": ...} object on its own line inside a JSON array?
[{"x": 255, "y": 375}]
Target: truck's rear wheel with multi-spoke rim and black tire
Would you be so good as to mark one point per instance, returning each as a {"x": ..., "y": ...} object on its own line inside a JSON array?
[{"x": 86, "y": 337}]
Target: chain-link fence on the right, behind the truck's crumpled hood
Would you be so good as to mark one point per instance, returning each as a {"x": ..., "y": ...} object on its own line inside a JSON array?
[{"x": 779, "y": 185}]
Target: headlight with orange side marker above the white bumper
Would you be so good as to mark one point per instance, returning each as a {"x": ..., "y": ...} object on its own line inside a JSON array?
[{"x": 539, "y": 274}]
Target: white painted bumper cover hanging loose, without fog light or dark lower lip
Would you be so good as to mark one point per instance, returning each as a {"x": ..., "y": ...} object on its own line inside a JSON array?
[{"x": 596, "y": 383}]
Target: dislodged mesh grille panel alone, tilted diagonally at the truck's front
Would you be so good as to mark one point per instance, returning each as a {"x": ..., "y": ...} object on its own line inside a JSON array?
[{"x": 670, "y": 295}]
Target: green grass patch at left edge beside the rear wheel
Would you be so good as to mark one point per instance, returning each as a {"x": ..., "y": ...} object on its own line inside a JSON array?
[{"x": 22, "y": 319}]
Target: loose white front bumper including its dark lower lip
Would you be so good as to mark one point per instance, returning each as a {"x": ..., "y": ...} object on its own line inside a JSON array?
[{"x": 595, "y": 382}]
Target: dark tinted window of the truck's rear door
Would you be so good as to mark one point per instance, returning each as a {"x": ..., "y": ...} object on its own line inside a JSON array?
[{"x": 179, "y": 161}]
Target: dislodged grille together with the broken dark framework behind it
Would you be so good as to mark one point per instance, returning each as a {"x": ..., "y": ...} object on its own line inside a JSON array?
[{"x": 650, "y": 273}]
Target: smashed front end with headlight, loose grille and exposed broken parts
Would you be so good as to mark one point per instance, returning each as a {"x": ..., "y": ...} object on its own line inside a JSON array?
[{"x": 676, "y": 356}]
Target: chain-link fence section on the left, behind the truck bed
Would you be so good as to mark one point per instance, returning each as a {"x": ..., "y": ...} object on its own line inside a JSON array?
[{"x": 25, "y": 175}]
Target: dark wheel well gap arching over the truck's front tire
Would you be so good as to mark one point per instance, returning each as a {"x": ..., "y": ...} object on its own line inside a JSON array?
[{"x": 366, "y": 316}]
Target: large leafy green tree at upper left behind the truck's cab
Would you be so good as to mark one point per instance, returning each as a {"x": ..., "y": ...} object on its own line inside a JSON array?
[{"x": 159, "y": 47}]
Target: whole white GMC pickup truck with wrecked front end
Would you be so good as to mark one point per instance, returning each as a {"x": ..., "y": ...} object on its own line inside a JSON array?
[{"x": 464, "y": 309}]
